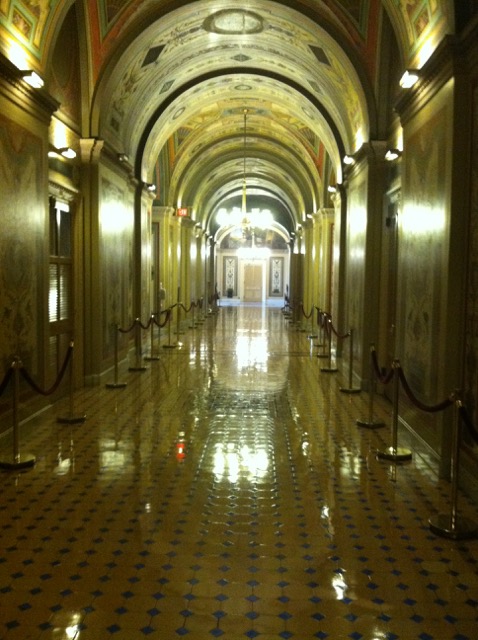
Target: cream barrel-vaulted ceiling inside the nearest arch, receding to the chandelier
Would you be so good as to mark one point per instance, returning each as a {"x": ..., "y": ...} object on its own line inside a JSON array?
[{"x": 180, "y": 88}]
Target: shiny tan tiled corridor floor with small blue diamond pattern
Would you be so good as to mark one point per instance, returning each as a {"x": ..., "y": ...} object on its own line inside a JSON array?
[{"x": 227, "y": 492}]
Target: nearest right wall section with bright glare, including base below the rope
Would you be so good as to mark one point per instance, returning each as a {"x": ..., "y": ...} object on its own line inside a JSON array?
[{"x": 423, "y": 264}]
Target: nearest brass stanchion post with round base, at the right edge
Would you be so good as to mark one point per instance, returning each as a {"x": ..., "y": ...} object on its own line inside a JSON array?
[{"x": 452, "y": 525}]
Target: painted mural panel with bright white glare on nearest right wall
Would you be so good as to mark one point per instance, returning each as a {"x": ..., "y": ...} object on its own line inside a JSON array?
[{"x": 423, "y": 245}]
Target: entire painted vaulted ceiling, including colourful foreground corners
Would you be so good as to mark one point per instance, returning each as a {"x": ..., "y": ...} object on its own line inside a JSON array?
[{"x": 169, "y": 83}]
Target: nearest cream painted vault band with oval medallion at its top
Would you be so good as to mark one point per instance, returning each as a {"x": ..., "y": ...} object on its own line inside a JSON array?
[{"x": 191, "y": 46}]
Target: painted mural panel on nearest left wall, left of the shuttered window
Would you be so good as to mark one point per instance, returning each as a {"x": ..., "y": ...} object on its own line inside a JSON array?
[{"x": 22, "y": 211}]
